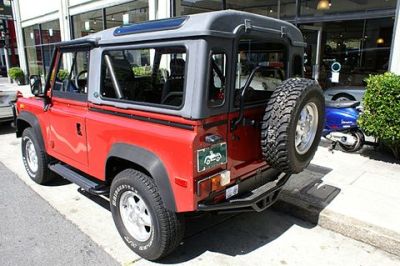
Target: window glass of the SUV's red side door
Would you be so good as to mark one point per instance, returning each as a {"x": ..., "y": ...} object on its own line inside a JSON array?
[{"x": 72, "y": 74}]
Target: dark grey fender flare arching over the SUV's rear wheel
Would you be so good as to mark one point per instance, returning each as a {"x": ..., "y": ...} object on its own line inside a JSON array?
[{"x": 151, "y": 163}]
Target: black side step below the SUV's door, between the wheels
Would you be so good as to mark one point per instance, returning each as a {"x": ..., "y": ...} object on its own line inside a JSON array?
[{"x": 82, "y": 181}]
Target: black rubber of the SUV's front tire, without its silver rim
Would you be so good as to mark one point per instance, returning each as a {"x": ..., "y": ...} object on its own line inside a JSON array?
[{"x": 43, "y": 174}]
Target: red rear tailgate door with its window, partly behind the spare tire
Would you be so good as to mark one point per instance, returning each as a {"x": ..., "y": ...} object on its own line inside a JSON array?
[{"x": 244, "y": 149}]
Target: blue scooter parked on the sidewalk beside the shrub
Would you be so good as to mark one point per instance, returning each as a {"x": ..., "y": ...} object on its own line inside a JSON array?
[{"x": 341, "y": 125}]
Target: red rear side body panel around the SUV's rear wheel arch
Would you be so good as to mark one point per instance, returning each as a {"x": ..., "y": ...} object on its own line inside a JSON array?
[{"x": 173, "y": 145}]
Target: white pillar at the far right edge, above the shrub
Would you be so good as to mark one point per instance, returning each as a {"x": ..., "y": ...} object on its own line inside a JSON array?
[{"x": 394, "y": 62}]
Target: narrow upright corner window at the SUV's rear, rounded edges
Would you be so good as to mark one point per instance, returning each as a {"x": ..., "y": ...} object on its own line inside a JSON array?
[{"x": 216, "y": 87}]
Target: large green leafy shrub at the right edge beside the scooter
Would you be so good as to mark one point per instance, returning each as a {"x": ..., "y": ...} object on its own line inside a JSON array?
[{"x": 381, "y": 116}]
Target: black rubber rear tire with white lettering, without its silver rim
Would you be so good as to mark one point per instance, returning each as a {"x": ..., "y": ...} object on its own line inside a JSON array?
[{"x": 168, "y": 226}]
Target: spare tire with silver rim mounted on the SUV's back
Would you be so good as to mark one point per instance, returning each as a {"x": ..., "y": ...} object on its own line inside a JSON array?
[{"x": 292, "y": 125}]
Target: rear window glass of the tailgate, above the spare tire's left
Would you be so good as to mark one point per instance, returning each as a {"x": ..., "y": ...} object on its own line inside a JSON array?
[{"x": 271, "y": 60}]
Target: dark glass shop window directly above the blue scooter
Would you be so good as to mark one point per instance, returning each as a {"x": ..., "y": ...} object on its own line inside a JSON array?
[{"x": 361, "y": 47}]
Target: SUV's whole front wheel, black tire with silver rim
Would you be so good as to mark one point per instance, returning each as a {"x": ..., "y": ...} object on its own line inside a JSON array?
[{"x": 35, "y": 158}]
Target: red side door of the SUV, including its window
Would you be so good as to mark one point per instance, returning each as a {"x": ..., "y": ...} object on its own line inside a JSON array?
[{"x": 67, "y": 113}]
